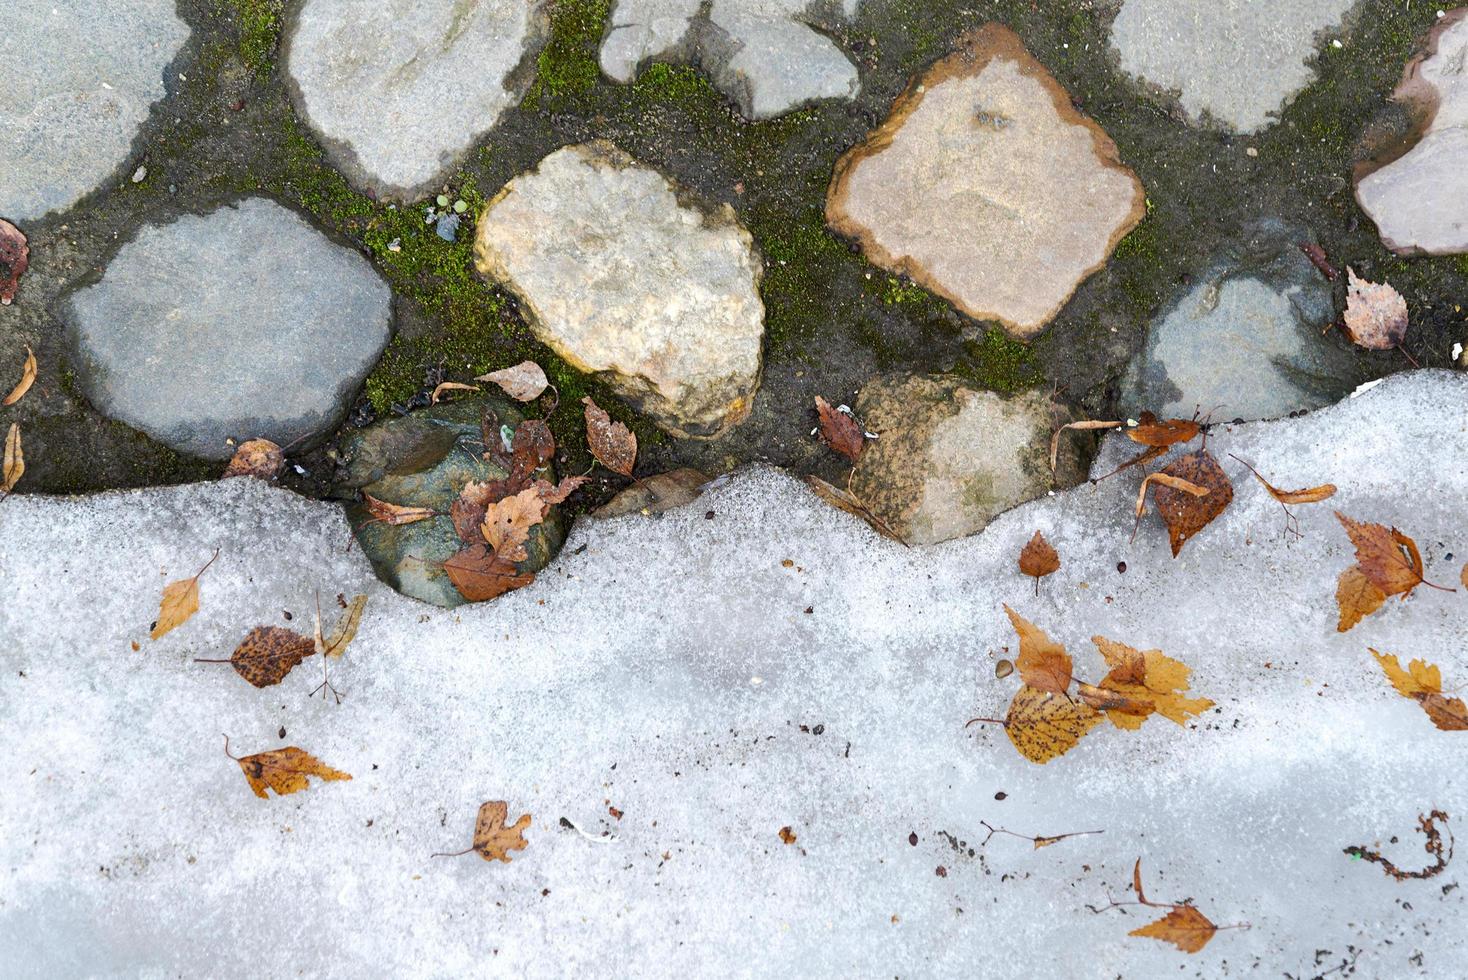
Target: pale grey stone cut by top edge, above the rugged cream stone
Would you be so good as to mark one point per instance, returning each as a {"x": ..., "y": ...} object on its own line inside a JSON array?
[{"x": 400, "y": 90}]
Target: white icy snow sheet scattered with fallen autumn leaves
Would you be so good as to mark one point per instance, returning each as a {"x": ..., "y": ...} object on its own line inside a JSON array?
[{"x": 666, "y": 665}]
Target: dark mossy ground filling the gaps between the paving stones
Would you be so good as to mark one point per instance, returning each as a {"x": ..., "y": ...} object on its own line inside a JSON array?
[{"x": 833, "y": 321}]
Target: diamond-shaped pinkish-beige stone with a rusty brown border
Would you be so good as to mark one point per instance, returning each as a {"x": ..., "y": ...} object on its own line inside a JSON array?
[{"x": 987, "y": 187}]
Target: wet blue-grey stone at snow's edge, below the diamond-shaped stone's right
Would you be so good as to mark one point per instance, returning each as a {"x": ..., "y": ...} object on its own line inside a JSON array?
[{"x": 1246, "y": 341}]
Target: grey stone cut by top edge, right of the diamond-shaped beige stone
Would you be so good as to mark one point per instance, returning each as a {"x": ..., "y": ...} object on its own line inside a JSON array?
[{"x": 1237, "y": 62}]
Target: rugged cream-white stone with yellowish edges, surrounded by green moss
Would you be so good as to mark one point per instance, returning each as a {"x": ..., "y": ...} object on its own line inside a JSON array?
[{"x": 622, "y": 277}]
